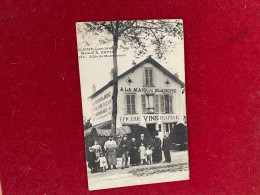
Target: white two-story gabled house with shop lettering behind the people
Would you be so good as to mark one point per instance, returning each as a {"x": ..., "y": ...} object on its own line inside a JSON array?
[{"x": 148, "y": 95}]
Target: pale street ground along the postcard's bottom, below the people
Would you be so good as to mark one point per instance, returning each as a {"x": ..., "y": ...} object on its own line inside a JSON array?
[{"x": 122, "y": 177}]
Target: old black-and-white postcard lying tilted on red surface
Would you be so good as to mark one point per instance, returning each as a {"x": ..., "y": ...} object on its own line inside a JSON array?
[{"x": 133, "y": 97}]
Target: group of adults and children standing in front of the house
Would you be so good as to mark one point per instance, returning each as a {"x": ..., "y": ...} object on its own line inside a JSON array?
[{"x": 140, "y": 151}]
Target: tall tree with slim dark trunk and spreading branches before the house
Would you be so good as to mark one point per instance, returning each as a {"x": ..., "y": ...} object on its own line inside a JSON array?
[{"x": 140, "y": 35}]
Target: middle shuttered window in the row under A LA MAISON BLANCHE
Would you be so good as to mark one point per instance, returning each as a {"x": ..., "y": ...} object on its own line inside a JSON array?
[{"x": 150, "y": 103}]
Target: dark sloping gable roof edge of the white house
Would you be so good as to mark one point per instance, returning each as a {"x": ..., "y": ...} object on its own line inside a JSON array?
[{"x": 150, "y": 60}]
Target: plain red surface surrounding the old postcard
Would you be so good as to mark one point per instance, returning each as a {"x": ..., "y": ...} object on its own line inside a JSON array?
[{"x": 42, "y": 142}]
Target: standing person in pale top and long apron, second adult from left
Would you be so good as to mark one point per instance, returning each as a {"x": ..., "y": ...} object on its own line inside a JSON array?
[{"x": 110, "y": 147}]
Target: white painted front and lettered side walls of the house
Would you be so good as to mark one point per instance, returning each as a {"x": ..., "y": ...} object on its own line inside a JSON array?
[{"x": 139, "y": 118}]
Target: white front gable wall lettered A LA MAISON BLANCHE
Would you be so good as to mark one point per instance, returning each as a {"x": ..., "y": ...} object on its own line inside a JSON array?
[{"x": 137, "y": 88}]
